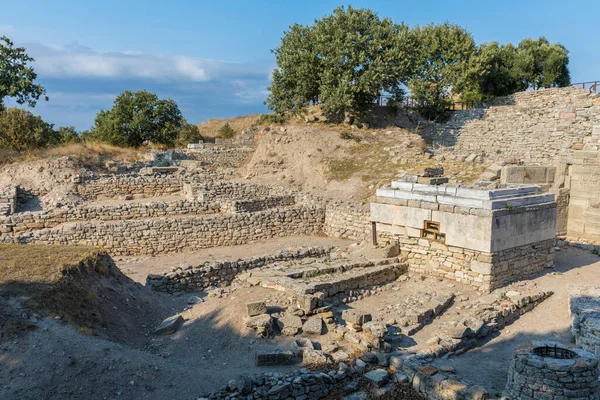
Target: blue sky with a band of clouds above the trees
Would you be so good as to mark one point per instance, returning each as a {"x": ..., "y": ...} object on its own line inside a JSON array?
[{"x": 213, "y": 57}]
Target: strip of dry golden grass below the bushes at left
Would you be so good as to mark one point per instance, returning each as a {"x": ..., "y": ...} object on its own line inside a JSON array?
[{"x": 87, "y": 154}]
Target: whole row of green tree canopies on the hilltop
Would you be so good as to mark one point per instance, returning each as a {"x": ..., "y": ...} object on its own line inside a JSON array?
[{"x": 346, "y": 60}]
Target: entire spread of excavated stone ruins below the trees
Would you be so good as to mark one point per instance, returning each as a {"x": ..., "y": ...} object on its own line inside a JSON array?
[{"x": 393, "y": 297}]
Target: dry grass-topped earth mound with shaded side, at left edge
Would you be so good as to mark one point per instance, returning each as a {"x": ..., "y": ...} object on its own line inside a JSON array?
[{"x": 49, "y": 280}]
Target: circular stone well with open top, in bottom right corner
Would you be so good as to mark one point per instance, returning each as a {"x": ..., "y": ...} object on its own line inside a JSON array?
[{"x": 549, "y": 370}]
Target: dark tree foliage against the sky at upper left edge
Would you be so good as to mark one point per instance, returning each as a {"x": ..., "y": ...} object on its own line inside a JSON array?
[{"x": 17, "y": 76}]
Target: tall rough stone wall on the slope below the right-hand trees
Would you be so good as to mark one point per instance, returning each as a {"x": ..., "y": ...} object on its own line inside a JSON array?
[{"x": 538, "y": 127}]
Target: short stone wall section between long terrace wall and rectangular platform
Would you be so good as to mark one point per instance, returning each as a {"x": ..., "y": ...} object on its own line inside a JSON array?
[{"x": 347, "y": 220}]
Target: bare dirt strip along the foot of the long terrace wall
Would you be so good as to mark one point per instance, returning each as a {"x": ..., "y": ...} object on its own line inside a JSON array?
[{"x": 138, "y": 268}]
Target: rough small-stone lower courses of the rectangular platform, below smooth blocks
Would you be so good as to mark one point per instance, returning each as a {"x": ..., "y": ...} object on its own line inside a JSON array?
[{"x": 486, "y": 271}]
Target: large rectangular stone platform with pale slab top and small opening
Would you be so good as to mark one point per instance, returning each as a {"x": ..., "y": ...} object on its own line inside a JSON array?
[{"x": 487, "y": 238}]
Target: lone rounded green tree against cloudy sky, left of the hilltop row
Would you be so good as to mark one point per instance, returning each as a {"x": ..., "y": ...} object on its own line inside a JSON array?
[{"x": 139, "y": 117}]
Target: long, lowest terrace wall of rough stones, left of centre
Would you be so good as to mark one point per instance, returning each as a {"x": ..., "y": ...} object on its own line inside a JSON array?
[{"x": 173, "y": 234}]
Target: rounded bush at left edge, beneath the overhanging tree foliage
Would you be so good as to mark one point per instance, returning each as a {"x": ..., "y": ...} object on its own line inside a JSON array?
[{"x": 20, "y": 130}]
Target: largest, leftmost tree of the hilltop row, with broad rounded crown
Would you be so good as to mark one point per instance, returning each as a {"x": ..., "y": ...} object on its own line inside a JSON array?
[{"x": 343, "y": 61}]
